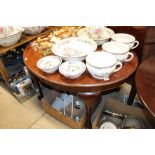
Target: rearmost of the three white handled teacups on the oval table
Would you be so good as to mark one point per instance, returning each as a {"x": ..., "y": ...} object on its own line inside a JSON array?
[{"x": 126, "y": 39}]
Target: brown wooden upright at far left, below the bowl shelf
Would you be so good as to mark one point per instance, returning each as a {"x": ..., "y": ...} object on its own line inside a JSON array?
[{"x": 3, "y": 71}]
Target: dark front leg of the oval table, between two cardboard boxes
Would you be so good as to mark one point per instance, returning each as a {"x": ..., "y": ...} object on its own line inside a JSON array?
[{"x": 89, "y": 99}]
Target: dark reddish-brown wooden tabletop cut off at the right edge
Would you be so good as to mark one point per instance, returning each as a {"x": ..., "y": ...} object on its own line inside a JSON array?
[{"x": 145, "y": 83}]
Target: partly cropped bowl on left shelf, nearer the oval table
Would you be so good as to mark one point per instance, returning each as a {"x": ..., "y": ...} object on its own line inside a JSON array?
[{"x": 34, "y": 30}]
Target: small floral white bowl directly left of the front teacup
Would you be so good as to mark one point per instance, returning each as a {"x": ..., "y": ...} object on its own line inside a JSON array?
[{"x": 72, "y": 69}]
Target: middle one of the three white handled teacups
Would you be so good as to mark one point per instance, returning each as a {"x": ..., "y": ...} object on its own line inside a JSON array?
[{"x": 120, "y": 50}]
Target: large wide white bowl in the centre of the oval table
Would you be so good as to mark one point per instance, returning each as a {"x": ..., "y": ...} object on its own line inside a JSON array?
[{"x": 74, "y": 48}]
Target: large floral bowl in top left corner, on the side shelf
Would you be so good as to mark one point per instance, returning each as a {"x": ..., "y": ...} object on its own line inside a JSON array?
[{"x": 10, "y": 35}]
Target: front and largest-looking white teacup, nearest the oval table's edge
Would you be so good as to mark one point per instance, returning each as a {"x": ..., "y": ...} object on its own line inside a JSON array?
[{"x": 102, "y": 64}]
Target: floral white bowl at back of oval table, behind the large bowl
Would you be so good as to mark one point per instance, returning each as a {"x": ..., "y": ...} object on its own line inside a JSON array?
[{"x": 103, "y": 36}]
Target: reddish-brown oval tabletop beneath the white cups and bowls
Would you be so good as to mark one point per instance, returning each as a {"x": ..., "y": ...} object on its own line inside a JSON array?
[{"x": 85, "y": 83}]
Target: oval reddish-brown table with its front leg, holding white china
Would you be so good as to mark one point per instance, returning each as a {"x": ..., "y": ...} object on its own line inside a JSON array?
[{"x": 87, "y": 88}]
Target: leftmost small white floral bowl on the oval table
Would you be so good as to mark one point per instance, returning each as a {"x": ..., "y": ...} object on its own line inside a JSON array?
[{"x": 49, "y": 64}]
